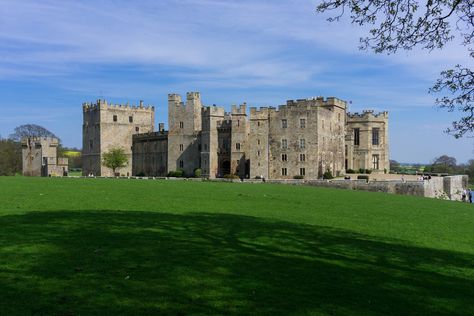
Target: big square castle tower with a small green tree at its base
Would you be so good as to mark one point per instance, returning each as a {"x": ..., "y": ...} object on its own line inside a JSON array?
[{"x": 107, "y": 126}]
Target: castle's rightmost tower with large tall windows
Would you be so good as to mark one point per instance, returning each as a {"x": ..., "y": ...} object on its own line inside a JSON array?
[{"x": 367, "y": 143}]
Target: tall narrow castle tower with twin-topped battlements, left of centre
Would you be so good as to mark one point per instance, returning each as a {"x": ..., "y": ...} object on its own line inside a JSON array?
[{"x": 184, "y": 122}]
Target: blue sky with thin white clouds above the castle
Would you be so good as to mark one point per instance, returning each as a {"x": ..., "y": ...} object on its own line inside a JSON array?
[{"x": 57, "y": 54}]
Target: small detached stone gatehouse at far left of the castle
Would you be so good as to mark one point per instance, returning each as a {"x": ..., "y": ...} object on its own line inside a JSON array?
[{"x": 39, "y": 156}]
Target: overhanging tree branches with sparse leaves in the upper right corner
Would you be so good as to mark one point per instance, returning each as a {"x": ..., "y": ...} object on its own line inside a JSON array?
[{"x": 406, "y": 24}]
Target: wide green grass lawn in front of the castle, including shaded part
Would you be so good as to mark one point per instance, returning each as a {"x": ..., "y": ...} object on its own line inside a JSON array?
[{"x": 144, "y": 247}]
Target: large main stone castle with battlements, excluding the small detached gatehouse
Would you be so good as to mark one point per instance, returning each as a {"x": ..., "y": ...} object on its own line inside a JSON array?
[{"x": 303, "y": 138}]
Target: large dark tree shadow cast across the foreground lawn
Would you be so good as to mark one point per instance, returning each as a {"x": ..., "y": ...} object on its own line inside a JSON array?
[{"x": 112, "y": 263}]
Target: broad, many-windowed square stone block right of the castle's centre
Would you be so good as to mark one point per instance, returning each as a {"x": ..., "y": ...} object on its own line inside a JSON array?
[{"x": 303, "y": 138}]
